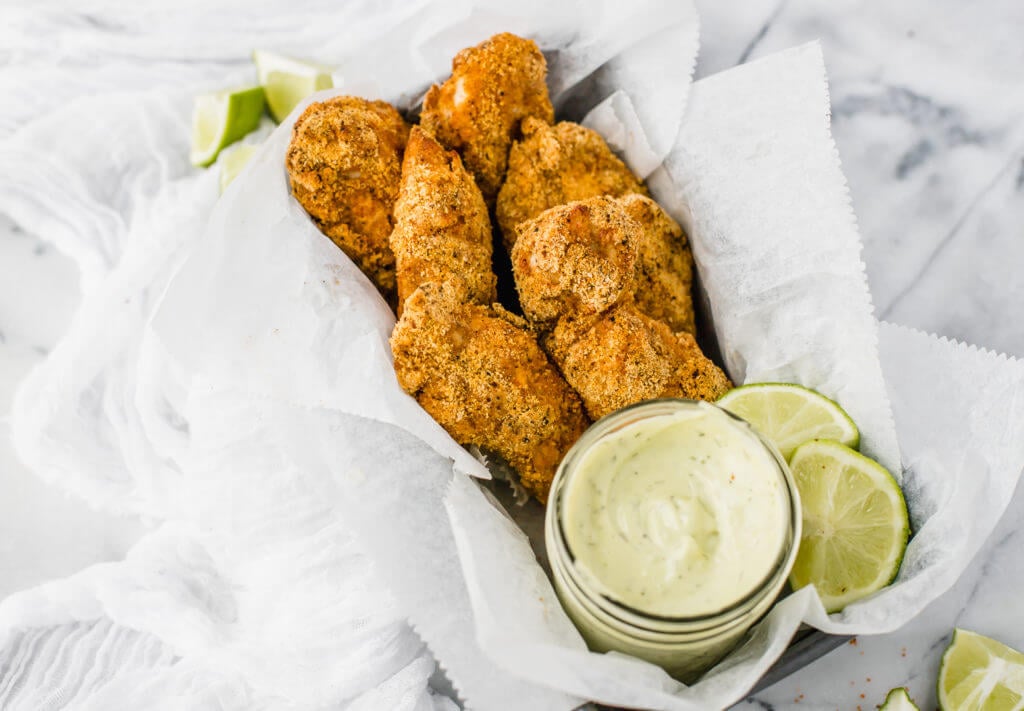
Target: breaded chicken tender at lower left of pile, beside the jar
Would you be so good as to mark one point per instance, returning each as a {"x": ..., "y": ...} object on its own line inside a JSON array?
[{"x": 480, "y": 372}]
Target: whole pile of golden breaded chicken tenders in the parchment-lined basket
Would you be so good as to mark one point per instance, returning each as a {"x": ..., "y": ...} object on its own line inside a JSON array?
[{"x": 604, "y": 275}]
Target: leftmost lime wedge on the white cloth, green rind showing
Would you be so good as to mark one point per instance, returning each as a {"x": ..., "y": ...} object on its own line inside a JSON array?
[{"x": 221, "y": 119}]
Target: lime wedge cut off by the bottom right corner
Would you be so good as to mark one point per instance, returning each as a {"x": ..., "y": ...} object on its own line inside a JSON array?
[{"x": 980, "y": 675}]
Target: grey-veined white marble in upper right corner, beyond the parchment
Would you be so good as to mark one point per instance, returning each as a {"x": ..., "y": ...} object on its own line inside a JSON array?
[{"x": 928, "y": 114}]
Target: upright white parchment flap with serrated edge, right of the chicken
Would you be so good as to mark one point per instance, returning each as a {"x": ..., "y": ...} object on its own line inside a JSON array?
[{"x": 755, "y": 177}]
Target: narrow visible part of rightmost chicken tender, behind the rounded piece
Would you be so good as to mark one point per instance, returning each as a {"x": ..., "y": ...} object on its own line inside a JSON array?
[{"x": 665, "y": 266}]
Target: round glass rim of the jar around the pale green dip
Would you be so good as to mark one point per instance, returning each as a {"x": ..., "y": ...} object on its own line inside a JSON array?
[{"x": 621, "y": 611}]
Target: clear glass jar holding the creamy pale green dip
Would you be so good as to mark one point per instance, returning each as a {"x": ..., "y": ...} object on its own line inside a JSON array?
[{"x": 686, "y": 646}]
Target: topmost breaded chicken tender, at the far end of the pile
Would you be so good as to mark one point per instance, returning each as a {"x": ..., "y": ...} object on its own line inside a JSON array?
[{"x": 494, "y": 87}]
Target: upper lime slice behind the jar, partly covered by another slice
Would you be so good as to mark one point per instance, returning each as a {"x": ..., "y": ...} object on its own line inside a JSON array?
[{"x": 791, "y": 415}]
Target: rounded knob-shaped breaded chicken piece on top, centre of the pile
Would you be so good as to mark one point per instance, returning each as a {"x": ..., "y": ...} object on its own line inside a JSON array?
[{"x": 575, "y": 260}]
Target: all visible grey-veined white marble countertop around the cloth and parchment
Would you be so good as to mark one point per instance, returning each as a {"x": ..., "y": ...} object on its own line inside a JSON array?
[{"x": 928, "y": 113}]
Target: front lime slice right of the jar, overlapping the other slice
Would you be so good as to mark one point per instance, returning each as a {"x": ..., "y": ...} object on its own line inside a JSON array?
[{"x": 856, "y": 524}]
